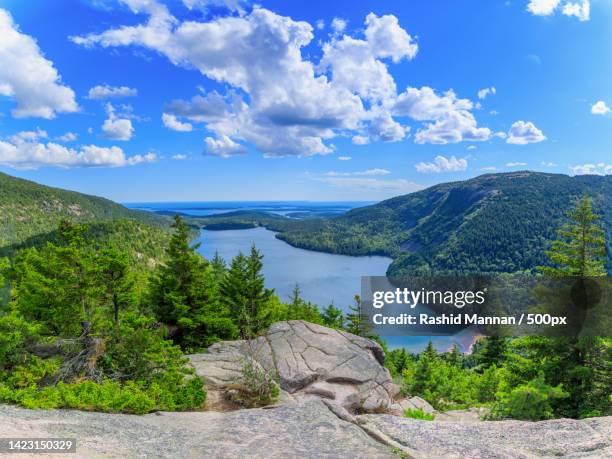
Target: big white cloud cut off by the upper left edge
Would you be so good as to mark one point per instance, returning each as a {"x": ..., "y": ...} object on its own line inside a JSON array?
[{"x": 28, "y": 78}]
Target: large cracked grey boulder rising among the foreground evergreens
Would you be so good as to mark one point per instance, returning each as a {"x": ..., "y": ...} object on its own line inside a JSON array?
[{"x": 311, "y": 361}]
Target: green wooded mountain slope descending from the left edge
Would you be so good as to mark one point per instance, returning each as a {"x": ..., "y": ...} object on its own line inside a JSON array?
[{"x": 30, "y": 213}]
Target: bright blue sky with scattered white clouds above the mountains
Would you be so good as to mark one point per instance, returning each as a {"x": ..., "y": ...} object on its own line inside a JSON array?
[{"x": 195, "y": 100}]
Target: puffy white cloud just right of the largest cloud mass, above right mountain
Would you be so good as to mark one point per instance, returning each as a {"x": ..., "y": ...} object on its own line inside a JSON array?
[{"x": 452, "y": 118}]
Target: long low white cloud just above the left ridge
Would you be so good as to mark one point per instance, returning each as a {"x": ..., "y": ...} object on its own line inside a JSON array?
[{"x": 25, "y": 151}]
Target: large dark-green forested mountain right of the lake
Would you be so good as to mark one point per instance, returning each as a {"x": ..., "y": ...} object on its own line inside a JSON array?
[{"x": 491, "y": 223}]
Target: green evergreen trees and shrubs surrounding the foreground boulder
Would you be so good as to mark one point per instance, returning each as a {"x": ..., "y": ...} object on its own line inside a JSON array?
[{"x": 94, "y": 320}]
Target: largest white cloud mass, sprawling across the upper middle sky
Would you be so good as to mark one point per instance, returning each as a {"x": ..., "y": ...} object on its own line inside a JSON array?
[{"x": 306, "y": 104}]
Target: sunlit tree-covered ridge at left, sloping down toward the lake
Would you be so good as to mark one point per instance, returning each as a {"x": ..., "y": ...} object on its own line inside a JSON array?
[{"x": 29, "y": 210}]
